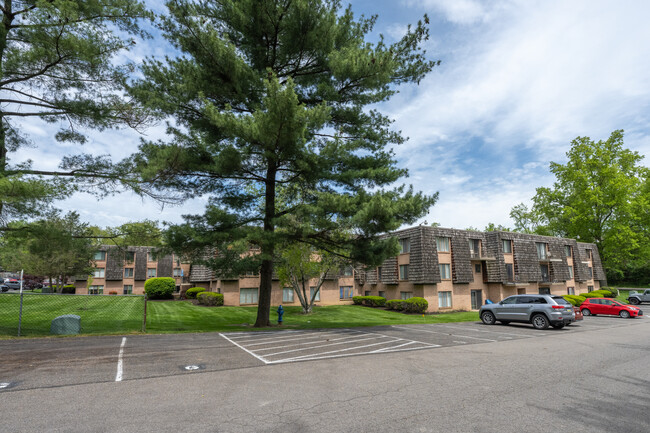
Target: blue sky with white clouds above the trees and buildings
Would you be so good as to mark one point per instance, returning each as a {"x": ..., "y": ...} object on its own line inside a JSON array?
[{"x": 518, "y": 81}]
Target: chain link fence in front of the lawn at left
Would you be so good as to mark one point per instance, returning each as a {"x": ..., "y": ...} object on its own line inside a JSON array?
[{"x": 31, "y": 314}]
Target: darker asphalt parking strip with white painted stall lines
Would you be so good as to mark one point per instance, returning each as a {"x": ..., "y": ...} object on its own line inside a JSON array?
[{"x": 55, "y": 362}]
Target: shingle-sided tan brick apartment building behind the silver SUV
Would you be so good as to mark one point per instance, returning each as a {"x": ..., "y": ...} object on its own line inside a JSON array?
[{"x": 459, "y": 269}]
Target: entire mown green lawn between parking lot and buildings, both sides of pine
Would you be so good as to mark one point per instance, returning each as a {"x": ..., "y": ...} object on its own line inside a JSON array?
[{"x": 123, "y": 314}]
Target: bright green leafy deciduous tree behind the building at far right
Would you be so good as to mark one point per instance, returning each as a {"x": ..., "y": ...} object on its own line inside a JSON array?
[{"x": 600, "y": 195}]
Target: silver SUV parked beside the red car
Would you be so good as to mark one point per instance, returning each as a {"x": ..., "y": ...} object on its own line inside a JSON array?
[{"x": 540, "y": 310}]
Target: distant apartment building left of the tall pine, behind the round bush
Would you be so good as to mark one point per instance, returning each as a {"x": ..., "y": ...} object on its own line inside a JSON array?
[{"x": 124, "y": 271}]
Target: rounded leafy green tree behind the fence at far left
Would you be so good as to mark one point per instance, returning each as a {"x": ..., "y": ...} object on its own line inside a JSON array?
[{"x": 57, "y": 247}]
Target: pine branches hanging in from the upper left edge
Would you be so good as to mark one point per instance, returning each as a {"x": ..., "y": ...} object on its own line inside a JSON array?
[{"x": 57, "y": 63}]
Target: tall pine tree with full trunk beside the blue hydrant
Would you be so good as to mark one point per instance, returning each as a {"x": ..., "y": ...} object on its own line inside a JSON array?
[{"x": 278, "y": 94}]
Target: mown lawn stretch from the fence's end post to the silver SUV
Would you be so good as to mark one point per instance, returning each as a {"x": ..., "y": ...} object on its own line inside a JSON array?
[{"x": 183, "y": 316}]
